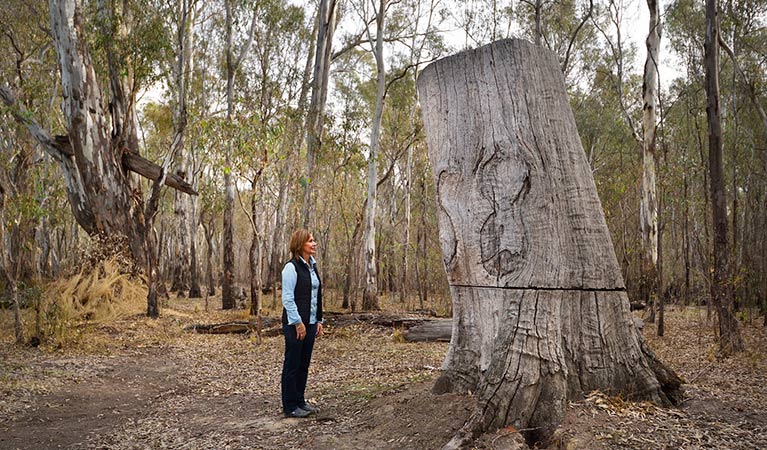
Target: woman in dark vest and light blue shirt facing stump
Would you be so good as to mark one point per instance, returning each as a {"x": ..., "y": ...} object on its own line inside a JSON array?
[{"x": 301, "y": 321}]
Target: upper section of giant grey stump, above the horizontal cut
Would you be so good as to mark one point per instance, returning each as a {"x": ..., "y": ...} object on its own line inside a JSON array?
[{"x": 518, "y": 203}]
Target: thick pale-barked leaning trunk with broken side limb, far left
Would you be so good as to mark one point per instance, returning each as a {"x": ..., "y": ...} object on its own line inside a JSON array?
[{"x": 97, "y": 186}]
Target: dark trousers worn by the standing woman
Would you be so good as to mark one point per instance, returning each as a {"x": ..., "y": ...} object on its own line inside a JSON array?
[{"x": 295, "y": 369}]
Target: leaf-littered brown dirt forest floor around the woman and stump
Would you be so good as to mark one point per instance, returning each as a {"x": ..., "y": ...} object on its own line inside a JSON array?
[{"x": 138, "y": 383}]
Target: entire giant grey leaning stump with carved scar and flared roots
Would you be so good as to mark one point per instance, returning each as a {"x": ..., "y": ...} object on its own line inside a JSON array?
[{"x": 541, "y": 315}]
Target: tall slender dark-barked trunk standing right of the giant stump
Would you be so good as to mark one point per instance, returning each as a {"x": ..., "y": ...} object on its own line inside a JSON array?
[{"x": 730, "y": 339}]
